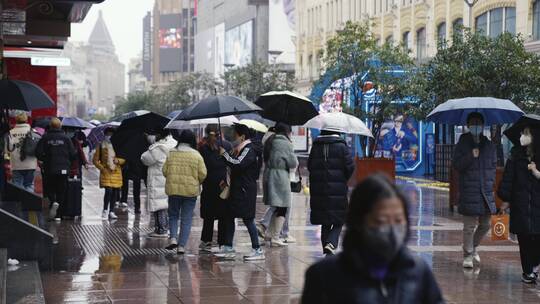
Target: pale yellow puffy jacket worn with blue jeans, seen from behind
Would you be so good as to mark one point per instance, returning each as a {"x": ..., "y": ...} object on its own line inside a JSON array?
[{"x": 184, "y": 171}]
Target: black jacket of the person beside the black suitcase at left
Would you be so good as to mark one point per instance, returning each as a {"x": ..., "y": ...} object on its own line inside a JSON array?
[{"x": 56, "y": 151}]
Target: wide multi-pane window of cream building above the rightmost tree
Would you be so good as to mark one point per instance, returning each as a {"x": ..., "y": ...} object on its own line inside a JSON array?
[{"x": 497, "y": 21}]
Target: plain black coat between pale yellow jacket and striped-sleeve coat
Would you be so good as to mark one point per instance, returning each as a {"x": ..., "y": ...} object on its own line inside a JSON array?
[{"x": 212, "y": 206}]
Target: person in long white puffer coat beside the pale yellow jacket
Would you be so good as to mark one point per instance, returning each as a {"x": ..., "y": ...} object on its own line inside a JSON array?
[{"x": 156, "y": 198}]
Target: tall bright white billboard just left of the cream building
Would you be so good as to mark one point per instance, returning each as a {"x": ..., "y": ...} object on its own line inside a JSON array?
[{"x": 282, "y": 30}]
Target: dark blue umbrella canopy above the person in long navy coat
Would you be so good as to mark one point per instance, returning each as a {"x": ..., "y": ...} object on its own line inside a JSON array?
[{"x": 494, "y": 110}]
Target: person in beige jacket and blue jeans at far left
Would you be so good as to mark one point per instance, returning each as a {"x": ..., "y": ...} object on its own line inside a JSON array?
[{"x": 23, "y": 166}]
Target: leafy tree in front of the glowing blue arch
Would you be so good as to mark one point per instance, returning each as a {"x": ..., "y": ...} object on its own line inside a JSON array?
[{"x": 354, "y": 54}]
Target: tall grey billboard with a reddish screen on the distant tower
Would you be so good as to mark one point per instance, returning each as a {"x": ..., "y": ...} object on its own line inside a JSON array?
[{"x": 170, "y": 43}]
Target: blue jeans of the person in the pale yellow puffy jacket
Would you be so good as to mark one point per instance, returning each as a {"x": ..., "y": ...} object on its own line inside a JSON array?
[{"x": 181, "y": 207}]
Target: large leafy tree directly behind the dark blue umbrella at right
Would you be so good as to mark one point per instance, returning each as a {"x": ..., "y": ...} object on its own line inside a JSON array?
[{"x": 477, "y": 65}]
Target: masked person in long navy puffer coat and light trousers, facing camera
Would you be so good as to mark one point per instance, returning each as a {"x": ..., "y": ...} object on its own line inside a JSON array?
[{"x": 475, "y": 158}]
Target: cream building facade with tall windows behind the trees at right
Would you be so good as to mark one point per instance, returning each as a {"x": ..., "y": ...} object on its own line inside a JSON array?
[{"x": 418, "y": 24}]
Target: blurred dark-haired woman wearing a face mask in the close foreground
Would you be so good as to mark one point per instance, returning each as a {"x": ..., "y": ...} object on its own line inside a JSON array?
[{"x": 375, "y": 265}]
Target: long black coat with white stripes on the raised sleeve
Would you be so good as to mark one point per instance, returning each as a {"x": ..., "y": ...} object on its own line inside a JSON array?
[{"x": 245, "y": 171}]
